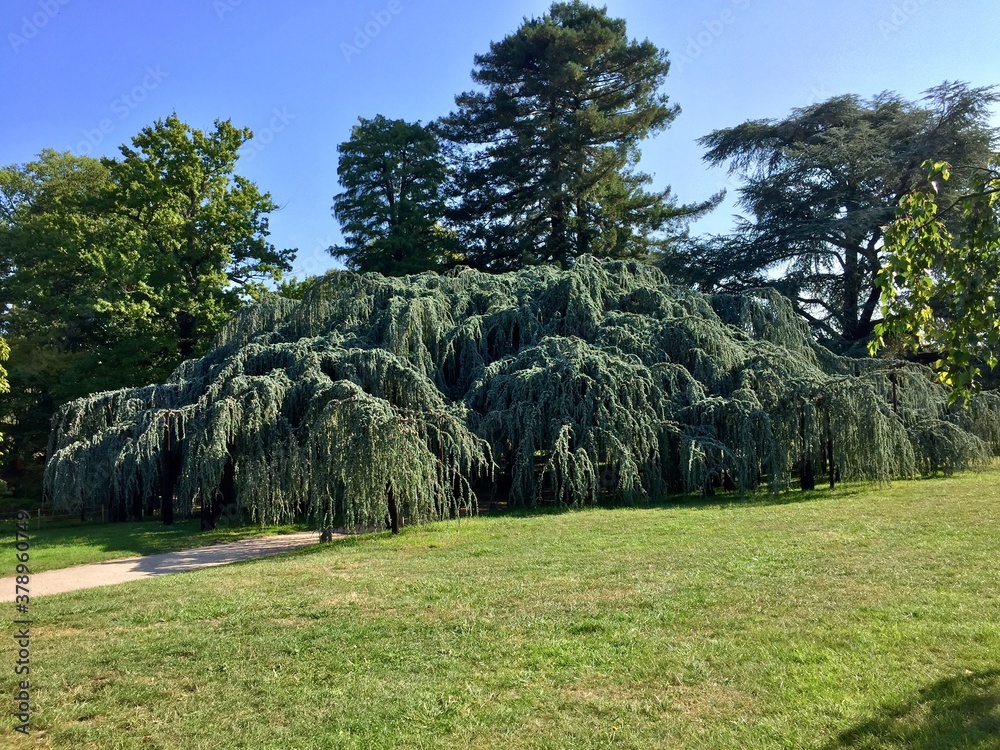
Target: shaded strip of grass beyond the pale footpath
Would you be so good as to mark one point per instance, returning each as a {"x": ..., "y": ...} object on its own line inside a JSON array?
[{"x": 74, "y": 544}]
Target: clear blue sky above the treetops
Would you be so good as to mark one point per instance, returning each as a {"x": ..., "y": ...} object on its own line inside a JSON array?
[{"x": 86, "y": 76}]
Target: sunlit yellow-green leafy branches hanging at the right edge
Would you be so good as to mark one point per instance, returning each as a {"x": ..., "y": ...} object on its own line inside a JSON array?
[{"x": 941, "y": 281}]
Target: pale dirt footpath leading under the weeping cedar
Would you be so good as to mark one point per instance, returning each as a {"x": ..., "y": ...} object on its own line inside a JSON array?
[{"x": 133, "y": 568}]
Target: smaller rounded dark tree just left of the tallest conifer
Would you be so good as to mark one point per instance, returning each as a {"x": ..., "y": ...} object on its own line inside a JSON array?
[{"x": 390, "y": 209}]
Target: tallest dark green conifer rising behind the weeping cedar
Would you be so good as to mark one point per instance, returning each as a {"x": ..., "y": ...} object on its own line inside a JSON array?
[{"x": 548, "y": 147}]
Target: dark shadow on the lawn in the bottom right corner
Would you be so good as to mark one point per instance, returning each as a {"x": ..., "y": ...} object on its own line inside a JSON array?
[{"x": 956, "y": 712}]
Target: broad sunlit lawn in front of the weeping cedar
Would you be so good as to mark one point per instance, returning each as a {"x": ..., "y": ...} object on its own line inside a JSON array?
[{"x": 852, "y": 619}]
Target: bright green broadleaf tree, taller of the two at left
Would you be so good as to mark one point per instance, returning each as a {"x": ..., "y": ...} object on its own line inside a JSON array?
[{"x": 198, "y": 234}]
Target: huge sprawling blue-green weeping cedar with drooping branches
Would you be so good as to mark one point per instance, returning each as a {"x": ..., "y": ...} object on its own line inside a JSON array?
[{"x": 377, "y": 396}]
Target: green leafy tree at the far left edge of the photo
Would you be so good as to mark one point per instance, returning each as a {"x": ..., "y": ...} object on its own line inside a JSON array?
[{"x": 52, "y": 227}]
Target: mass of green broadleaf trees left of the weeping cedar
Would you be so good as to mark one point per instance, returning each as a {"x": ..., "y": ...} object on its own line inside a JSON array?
[{"x": 114, "y": 271}]
